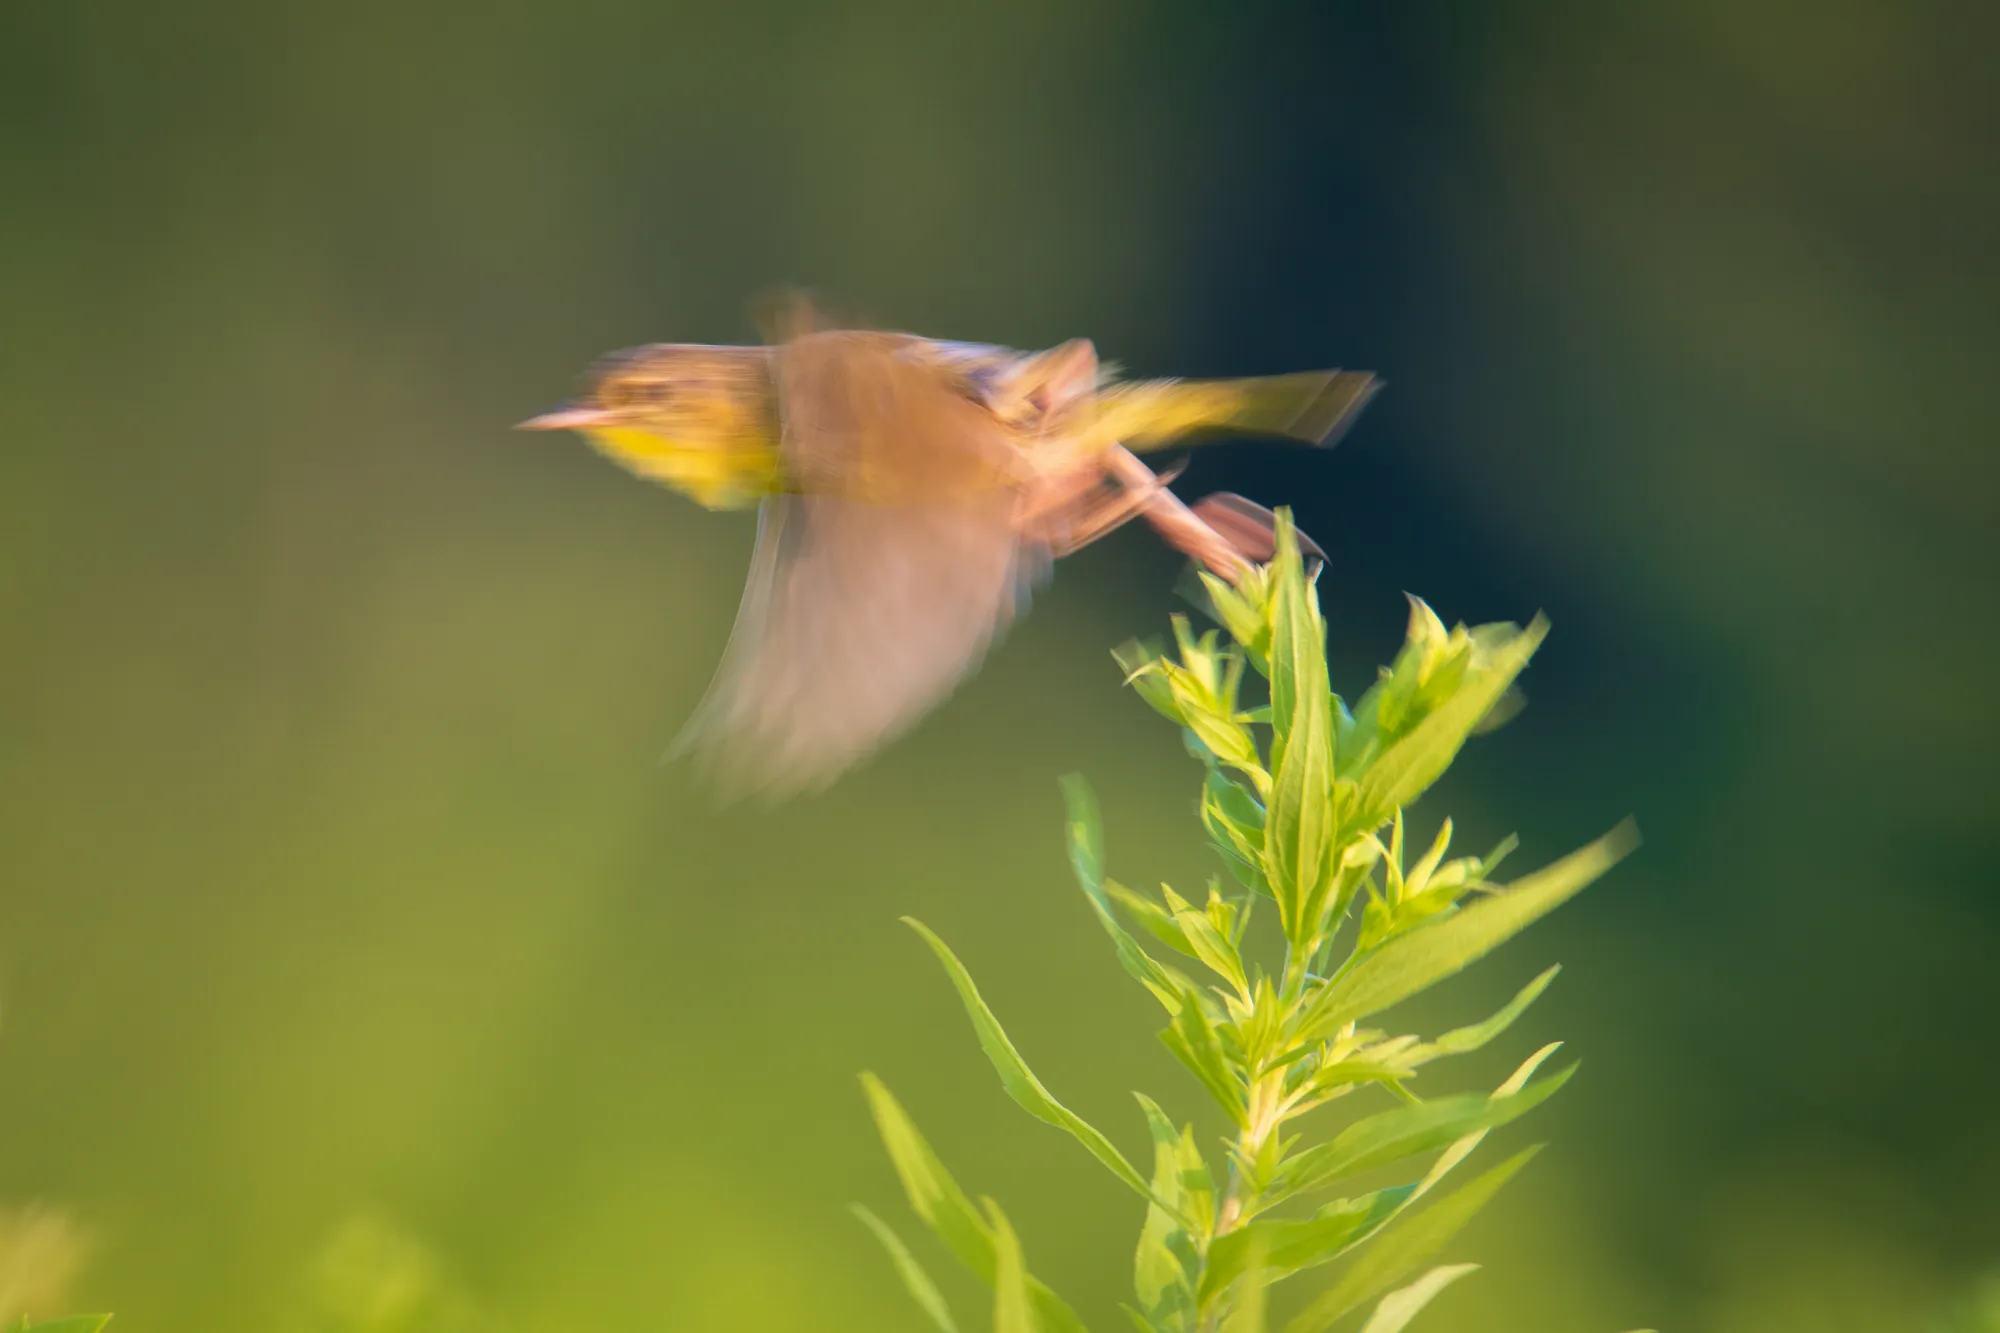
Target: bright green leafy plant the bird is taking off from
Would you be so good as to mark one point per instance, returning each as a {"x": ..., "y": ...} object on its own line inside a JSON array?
[{"x": 1305, "y": 804}]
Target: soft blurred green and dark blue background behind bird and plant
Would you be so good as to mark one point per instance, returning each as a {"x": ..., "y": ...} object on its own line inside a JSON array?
[{"x": 339, "y": 870}]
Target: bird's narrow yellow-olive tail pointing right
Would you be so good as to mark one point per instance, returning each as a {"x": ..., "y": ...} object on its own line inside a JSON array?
[{"x": 1315, "y": 407}]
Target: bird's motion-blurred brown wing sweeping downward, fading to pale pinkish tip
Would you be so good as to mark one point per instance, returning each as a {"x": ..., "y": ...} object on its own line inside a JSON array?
[{"x": 883, "y": 585}]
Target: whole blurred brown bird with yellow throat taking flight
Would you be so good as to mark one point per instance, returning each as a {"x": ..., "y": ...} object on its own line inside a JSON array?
[{"x": 911, "y": 493}]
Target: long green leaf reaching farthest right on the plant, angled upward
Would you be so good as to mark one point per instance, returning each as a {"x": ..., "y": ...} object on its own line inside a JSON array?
[{"x": 1435, "y": 952}]
